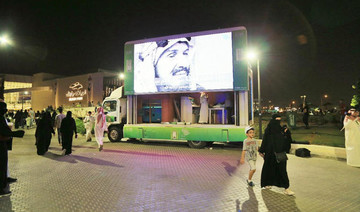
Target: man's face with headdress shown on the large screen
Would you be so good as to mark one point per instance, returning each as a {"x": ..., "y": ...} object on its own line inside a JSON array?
[{"x": 172, "y": 65}]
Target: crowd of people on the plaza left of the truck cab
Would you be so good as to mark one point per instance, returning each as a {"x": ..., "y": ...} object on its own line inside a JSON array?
[{"x": 46, "y": 123}]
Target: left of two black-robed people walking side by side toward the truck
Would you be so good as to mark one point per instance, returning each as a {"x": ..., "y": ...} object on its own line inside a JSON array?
[{"x": 43, "y": 133}]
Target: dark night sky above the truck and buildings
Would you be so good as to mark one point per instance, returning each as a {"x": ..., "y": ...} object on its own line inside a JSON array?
[{"x": 307, "y": 47}]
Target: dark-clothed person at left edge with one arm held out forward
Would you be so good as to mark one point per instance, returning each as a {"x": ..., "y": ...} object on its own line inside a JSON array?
[{"x": 5, "y": 135}]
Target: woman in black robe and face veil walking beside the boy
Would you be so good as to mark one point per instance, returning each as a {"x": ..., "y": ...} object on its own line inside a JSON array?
[{"x": 276, "y": 139}]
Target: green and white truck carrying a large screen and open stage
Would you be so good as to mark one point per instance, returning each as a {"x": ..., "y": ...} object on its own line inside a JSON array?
[{"x": 173, "y": 83}]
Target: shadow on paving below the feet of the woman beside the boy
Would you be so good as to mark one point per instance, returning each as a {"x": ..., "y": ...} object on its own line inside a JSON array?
[{"x": 275, "y": 201}]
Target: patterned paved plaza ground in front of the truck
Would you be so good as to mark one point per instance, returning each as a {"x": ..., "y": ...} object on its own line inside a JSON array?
[{"x": 167, "y": 176}]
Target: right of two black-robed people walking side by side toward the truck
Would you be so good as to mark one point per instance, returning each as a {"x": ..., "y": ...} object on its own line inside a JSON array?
[{"x": 67, "y": 129}]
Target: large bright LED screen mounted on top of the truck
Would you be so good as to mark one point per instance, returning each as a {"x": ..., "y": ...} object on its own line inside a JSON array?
[{"x": 198, "y": 63}]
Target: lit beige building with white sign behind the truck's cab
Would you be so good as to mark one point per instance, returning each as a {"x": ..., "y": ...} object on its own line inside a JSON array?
[{"x": 43, "y": 90}]
